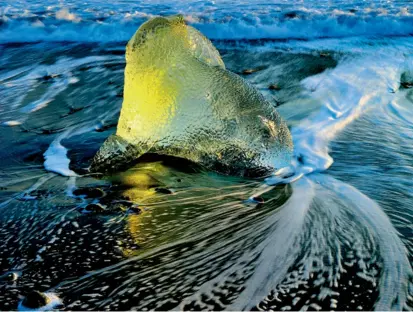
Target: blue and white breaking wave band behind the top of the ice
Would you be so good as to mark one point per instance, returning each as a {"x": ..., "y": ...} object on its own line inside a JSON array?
[{"x": 118, "y": 21}]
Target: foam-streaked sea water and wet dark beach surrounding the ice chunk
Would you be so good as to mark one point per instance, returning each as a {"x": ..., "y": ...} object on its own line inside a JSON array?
[{"x": 334, "y": 232}]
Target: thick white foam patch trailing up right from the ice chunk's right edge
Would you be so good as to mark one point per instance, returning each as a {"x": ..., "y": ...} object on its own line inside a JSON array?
[{"x": 346, "y": 92}]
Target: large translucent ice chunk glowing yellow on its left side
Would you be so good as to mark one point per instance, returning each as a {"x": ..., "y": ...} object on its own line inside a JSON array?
[{"x": 179, "y": 100}]
